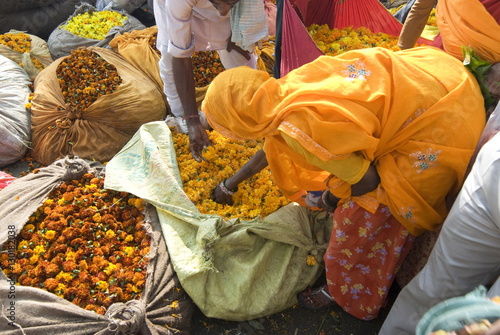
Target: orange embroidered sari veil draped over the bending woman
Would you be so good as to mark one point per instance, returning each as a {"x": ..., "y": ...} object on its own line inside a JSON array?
[{"x": 415, "y": 114}]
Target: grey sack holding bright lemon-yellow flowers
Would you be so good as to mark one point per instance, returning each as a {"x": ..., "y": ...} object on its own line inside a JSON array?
[{"x": 88, "y": 26}]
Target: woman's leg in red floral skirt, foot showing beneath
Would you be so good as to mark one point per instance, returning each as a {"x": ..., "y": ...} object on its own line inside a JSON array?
[{"x": 362, "y": 258}]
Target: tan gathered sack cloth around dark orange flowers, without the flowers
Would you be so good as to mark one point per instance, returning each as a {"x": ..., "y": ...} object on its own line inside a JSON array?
[{"x": 101, "y": 130}]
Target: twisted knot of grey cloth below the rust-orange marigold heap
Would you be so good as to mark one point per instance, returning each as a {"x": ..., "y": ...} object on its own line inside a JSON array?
[{"x": 126, "y": 318}]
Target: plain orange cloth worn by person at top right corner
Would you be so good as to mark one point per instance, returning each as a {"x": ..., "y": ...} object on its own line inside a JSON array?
[{"x": 468, "y": 23}]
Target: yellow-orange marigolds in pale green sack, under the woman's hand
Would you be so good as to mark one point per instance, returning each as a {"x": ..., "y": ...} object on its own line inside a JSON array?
[{"x": 258, "y": 196}]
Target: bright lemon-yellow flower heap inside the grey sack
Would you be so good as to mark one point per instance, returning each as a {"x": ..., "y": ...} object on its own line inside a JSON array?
[{"x": 94, "y": 25}]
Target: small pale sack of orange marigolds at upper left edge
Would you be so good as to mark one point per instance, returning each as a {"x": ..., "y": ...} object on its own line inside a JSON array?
[{"x": 29, "y": 51}]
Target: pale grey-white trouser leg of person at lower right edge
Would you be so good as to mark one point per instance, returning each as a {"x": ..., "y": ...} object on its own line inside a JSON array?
[{"x": 466, "y": 254}]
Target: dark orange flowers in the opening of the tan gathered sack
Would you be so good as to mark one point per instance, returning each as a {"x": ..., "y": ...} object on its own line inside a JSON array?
[{"x": 84, "y": 76}]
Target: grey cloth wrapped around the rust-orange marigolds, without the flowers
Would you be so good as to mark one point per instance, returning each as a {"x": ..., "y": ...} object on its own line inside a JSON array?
[{"x": 29, "y": 310}]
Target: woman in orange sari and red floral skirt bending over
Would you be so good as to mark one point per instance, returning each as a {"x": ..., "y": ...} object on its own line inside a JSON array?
[{"x": 385, "y": 135}]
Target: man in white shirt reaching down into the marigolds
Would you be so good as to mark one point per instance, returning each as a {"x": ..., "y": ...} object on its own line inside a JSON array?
[{"x": 186, "y": 26}]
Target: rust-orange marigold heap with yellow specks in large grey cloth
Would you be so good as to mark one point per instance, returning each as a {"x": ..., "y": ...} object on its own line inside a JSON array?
[{"x": 85, "y": 244}]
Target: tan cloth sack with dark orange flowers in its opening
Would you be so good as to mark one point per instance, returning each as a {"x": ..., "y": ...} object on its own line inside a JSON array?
[{"x": 89, "y": 104}]
